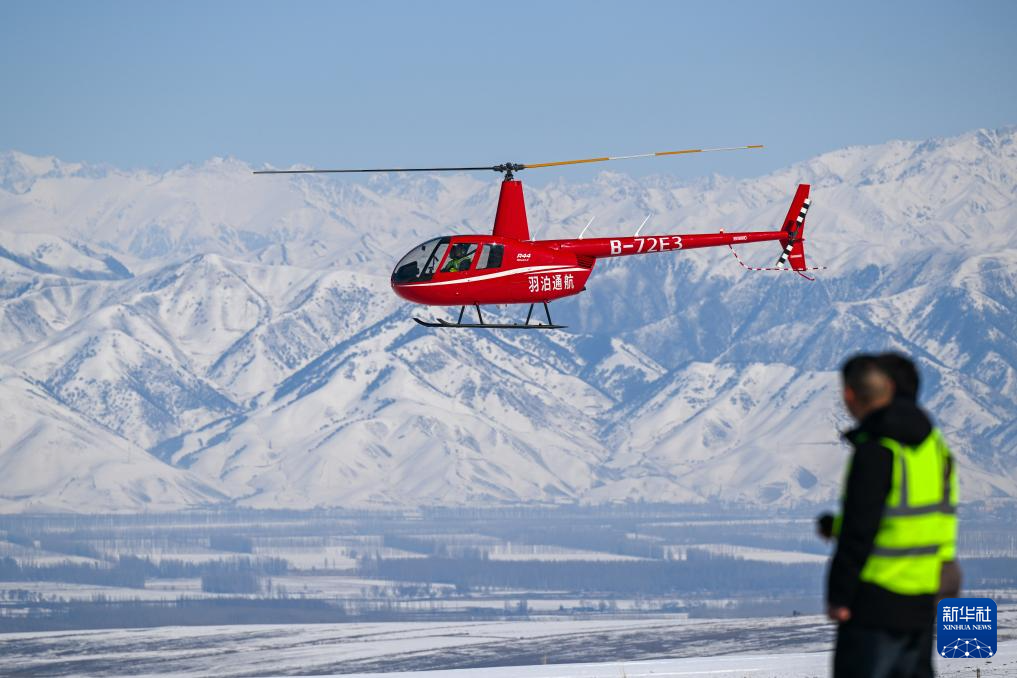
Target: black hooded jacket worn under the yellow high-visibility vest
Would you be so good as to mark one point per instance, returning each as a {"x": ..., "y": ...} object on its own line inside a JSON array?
[{"x": 865, "y": 500}]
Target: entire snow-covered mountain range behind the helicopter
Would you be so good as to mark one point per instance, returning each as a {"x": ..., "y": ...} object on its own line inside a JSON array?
[{"x": 238, "y": 331}]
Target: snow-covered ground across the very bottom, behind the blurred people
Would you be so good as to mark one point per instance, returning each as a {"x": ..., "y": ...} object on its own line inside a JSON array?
[{"x": 795, "y": 647}]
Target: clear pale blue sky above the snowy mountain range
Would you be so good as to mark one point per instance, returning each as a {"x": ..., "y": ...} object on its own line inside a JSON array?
[{"x": 379, "y": 84}]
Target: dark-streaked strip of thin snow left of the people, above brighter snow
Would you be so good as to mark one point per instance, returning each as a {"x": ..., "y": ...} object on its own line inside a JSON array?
[{"x": 341, "y": 649}]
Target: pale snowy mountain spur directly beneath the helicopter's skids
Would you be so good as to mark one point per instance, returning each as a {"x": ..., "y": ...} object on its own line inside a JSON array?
[{"x": 399, "y": 415}]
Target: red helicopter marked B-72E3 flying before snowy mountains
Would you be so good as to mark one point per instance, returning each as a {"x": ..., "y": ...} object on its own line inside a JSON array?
[{"x": 509, "y": 268}]
